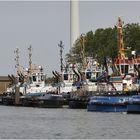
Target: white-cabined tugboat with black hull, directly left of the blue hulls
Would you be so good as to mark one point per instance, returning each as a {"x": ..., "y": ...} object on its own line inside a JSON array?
[{"x": 86, "y": 85}]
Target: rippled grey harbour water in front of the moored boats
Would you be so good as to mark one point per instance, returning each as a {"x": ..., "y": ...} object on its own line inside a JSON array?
[{"x": 43, "y": 123}]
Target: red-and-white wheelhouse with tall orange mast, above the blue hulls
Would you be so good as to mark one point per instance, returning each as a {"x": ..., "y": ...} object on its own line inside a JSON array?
[{"x": 124, "y": 66}]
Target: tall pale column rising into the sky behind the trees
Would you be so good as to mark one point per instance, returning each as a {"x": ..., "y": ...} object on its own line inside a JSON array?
[{"x": 74, "y": 18}]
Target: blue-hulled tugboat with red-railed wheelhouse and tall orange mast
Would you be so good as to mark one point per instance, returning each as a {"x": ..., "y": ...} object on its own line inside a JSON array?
[{"x": 126, "y": 81}]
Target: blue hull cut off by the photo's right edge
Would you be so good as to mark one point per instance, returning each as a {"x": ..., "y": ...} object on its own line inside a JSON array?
[{"x": 133, "y": 105}]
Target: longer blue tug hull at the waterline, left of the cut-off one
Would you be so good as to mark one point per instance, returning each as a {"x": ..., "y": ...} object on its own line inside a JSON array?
[{"x": 108, "y": 103}]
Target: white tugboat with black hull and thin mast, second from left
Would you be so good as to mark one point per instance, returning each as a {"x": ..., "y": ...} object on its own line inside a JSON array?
[{"x": 37, "y": 92}]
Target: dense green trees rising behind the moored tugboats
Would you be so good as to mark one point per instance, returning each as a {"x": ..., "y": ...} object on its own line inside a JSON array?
[{"x": 104, "y": 43}]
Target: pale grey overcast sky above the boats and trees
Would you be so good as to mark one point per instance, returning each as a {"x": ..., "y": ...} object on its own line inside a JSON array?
[{"x": 44, "y": 24}]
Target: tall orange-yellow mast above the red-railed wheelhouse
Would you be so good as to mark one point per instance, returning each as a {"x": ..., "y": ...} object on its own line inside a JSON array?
[{"x": 121, "y": 49}]
